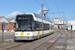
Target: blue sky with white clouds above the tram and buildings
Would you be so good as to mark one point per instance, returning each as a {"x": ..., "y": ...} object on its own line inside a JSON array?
[{"x": 10, "y": 8}]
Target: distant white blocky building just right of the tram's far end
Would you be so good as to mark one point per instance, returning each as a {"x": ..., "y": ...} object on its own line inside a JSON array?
[{"x": 59, "y": 23}]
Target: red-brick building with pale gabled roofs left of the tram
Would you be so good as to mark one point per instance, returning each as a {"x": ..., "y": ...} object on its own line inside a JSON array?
[{"x": 9, "y": 24}]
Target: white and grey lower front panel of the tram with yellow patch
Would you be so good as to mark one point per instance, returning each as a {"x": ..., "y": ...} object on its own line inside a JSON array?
[{"x": 23, "y": 36}]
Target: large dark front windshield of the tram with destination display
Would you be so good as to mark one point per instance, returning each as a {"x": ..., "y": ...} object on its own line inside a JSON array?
[{"x": 23, "y": 22}]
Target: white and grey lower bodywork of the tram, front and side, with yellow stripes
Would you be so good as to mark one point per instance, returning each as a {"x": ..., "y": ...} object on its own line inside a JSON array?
[{"x": 30, "y": 35}]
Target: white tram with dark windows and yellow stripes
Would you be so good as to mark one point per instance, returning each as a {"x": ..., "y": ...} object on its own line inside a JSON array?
[{"x": 29, "y": 27}]
